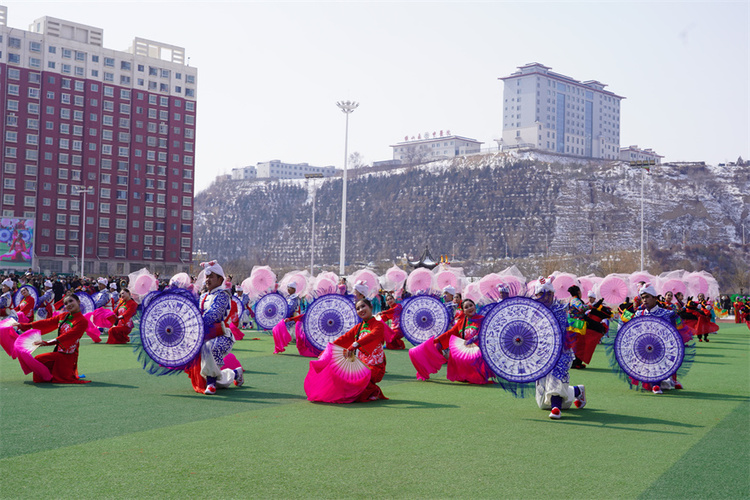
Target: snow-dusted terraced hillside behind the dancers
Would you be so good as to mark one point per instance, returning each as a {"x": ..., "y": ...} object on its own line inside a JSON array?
[{"x": 480, "y": 207}]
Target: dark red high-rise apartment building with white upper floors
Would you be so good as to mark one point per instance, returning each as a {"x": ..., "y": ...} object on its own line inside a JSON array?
[{"x": 121, "y": 123}]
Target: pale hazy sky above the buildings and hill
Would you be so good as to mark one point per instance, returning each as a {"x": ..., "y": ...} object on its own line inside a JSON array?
[{"x": 270, "y": 73}]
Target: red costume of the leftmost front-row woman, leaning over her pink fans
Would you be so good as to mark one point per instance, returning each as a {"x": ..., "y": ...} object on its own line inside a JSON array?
[{"x": 63, "y": 362}]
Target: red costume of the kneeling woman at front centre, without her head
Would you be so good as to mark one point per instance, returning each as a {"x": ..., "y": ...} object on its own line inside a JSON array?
[{"x": 369, "y": 335}]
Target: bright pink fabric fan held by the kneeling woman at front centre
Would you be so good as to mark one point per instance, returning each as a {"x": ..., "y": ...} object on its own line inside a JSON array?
[{"x": 335, "y": 378}]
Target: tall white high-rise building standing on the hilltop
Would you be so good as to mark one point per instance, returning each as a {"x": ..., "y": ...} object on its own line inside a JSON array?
[{"x": 548, "y": 111}]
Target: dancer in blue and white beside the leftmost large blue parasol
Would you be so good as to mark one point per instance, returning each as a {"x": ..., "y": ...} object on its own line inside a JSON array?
[{"x": 208, "y": 375}]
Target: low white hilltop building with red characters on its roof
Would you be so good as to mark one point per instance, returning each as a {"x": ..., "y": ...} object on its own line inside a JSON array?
[{"x": 435, "y": 146}]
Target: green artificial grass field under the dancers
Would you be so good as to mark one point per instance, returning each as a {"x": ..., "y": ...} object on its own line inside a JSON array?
[{"x": 132, "y": 435}]
